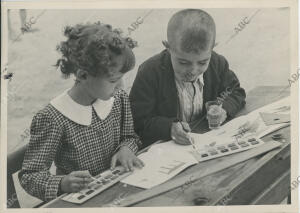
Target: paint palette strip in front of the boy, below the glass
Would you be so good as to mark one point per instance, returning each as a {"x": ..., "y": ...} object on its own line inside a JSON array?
[{"x": 226, "y": 149}]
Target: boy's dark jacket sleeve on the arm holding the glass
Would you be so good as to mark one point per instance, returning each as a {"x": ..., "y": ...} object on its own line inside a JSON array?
[{"x": 234, "y": 95}]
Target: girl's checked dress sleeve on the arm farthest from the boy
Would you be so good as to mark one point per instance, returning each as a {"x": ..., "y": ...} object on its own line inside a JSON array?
[{"x": 45, "y": 142}]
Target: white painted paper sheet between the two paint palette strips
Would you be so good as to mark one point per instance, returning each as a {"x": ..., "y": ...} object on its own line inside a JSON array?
[{"x": 162, "y": 162}]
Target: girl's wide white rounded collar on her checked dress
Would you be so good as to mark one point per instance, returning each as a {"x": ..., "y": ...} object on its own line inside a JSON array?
[{"x": 79, "y": 113}]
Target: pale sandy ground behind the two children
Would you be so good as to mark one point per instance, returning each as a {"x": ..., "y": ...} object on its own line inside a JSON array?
[{"x": 259, "y": 54}]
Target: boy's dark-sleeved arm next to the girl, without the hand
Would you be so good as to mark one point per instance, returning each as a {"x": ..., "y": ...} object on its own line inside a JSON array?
[{"x": 143, "y": 96}]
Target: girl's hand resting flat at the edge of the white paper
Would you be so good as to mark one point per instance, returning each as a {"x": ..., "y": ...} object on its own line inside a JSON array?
[{"x": 127, "y": 159}]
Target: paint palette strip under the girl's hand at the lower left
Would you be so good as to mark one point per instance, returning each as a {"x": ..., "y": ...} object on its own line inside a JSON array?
[{"x": 101, "y": 182}]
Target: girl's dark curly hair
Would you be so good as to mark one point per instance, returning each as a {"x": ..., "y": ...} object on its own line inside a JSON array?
[{"x": 90, "y": 47}]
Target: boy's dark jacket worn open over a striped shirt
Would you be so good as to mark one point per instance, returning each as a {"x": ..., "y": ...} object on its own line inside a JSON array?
[{"x": 154, "y": 98}]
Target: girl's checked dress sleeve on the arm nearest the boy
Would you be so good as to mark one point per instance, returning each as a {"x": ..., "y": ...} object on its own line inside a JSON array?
[{"x": 128, "y": 136}]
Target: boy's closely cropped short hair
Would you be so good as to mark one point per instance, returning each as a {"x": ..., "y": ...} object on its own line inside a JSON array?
[{"x": 192, "y": 30}]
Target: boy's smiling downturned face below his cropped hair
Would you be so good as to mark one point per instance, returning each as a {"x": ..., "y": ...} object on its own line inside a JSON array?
[{"x": 188, "y": 66}]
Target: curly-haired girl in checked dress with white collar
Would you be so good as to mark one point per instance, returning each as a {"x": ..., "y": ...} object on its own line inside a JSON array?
[{"x": 88, "y": 128}]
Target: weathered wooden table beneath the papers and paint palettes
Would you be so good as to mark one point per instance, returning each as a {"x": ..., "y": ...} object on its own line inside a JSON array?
[{"x": 261, "y": 180}]
